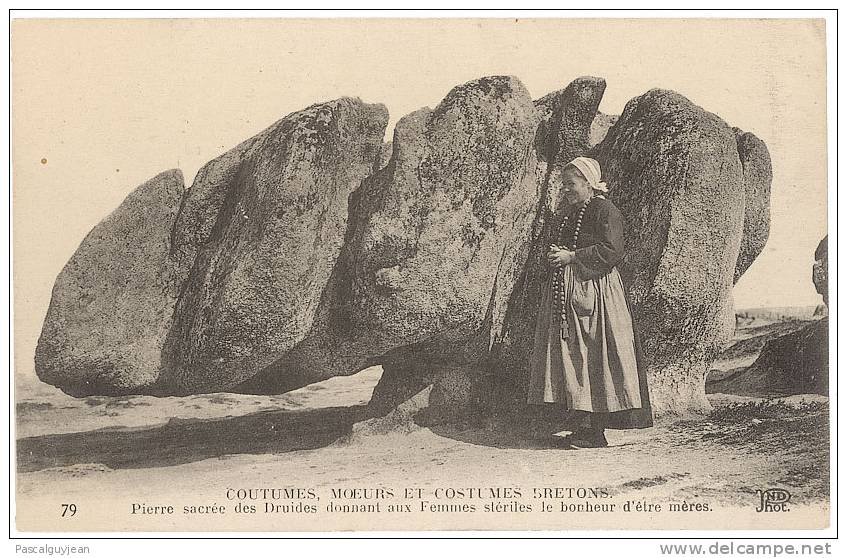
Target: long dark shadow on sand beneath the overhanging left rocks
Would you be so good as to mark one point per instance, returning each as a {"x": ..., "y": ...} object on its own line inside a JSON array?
[{"x": 184, "y": 441}]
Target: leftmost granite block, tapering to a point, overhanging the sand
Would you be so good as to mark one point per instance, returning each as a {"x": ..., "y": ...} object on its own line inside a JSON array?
[{"x": 113, "y": 302}]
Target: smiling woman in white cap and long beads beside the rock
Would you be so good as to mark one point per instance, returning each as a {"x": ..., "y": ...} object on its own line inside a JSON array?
[{"x": 586, "y": 354}]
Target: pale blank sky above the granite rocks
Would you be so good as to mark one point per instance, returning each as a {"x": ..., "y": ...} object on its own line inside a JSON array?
[{"x": 100, "y": 106}]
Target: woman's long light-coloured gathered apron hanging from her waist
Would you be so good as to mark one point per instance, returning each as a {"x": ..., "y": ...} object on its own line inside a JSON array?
[{"x": 595, "y": 367}]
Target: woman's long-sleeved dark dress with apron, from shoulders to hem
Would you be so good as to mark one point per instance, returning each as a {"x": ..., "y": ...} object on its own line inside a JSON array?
[{"x": 593, "y": 361}]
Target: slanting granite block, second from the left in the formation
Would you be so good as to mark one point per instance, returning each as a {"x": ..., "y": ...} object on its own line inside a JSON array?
[{"x": 264, "y": 225}]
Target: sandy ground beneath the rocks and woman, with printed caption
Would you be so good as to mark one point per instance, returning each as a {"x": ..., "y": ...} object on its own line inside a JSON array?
[{"x": 106, "y": 454}]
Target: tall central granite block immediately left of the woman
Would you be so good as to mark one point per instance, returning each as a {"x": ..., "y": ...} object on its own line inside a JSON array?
[{"x": 437, "y": 239}]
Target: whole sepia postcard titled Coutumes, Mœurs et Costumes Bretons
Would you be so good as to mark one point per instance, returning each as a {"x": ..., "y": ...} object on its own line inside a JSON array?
[{"x": 423, "y": 274}]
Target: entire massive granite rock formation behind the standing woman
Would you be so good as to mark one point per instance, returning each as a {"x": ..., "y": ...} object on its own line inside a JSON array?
[{"x": 315, "y": 249}]
